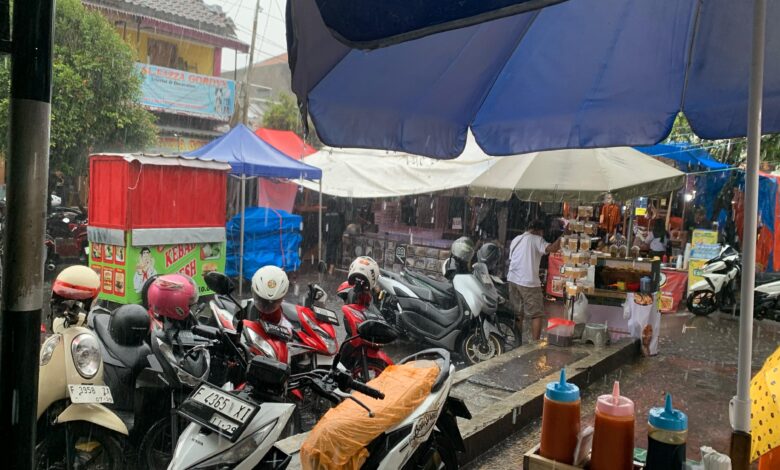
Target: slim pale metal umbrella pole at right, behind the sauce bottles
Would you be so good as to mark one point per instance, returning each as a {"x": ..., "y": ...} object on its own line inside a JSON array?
[{"x": 740, "y": 438}]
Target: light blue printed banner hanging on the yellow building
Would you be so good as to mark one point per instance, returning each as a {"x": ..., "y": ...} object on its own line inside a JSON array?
[{"x": 191, "y": 94}]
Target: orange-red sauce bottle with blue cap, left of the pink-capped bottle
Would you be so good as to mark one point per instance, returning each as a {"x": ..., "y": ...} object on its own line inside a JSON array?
[{"x": 560, "y": 421}]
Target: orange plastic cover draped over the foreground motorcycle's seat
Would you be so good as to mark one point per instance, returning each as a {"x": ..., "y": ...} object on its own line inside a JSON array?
[{"x": 339, "y": 439}]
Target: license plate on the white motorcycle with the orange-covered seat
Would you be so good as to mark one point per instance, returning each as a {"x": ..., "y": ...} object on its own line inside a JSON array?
[{"x": 219, "y": 411}]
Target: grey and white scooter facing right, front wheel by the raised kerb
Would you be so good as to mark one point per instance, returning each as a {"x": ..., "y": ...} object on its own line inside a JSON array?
[{"x": 470, "y": 327}]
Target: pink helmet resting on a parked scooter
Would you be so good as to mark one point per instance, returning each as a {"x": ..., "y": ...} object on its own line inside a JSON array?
[{"x": 171, "y": 295}]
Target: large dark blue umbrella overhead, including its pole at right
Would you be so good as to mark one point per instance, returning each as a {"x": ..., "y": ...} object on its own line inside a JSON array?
[{"x": 577, "y": 74}]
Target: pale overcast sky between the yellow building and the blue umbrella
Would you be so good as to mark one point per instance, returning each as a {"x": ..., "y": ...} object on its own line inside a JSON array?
[{"x": 271, "y": 39}]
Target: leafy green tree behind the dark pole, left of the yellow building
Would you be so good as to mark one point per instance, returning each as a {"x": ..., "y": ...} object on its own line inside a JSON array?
[{"x": 95, "y": 92}]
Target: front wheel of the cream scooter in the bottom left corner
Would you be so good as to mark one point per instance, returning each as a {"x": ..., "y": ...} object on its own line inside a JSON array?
[{"x": 104, "y": 449}]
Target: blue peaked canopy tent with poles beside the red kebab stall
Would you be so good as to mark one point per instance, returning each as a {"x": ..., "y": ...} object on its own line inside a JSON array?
[{"x": 250, "y": 156}]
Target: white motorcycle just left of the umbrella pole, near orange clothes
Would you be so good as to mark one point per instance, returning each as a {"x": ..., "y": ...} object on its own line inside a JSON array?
[{"x": 719, "y": 286}]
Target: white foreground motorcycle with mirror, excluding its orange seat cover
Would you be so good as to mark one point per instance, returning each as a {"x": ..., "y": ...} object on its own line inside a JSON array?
[{"x": 238, "y": 430}]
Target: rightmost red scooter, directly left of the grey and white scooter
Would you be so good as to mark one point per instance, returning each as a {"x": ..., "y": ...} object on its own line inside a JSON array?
[{"x": 364, "y": 359}]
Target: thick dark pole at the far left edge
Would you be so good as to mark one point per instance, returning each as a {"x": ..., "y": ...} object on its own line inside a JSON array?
[{"x": 30, "y": 112}]
